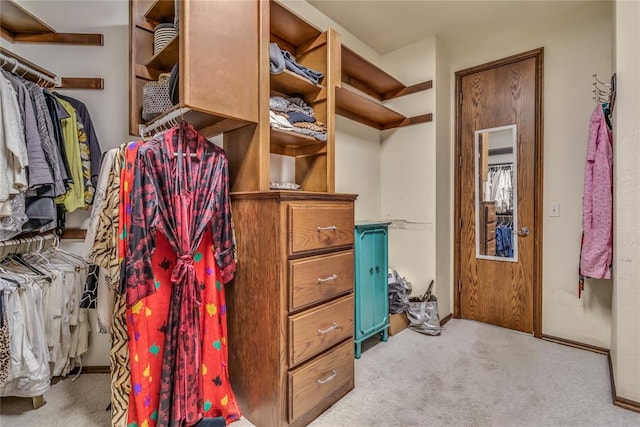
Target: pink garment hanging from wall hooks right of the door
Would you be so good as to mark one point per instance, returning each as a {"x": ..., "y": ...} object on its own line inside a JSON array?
[{"x": 597, "y": 201}]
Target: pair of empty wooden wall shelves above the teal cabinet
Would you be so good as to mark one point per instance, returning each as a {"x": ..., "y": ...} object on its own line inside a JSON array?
[{"x": 365, "y": 87}]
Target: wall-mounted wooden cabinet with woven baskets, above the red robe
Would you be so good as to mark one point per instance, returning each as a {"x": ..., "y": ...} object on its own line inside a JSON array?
[{"x": 218, "y": 81}]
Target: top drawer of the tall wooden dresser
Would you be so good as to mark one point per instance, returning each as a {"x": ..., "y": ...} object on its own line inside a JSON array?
[{"x": 319, "y": 226}]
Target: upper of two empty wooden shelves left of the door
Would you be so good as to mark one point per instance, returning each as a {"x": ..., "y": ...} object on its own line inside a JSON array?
[{"x": 358, "y": 68}]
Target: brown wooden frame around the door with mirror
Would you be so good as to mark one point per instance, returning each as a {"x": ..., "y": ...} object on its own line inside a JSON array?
[{"x": 538, "y": 55}]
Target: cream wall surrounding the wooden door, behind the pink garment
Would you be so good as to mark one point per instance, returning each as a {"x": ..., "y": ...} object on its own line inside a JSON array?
[{"x": 575, "y": 46}]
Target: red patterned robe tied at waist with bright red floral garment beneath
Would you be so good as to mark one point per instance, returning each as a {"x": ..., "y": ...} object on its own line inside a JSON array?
[{"x": 181, "y": 254}]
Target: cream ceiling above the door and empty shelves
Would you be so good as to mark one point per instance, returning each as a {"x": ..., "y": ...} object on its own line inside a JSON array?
[{"x": 386, "y": 25}]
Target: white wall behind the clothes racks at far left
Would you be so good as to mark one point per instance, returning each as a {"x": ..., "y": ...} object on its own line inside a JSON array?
[{"x": 108, "y": 108}]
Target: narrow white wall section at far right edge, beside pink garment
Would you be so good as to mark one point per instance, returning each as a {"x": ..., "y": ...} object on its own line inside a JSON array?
[{"x": 625, "y": 339}]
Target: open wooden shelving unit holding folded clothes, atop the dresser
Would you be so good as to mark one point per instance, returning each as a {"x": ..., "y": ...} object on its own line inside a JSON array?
[{"x": 249, "y": 150}]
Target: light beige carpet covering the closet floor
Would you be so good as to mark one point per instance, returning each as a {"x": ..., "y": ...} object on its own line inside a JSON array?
[{"x": 472, "y": 375}]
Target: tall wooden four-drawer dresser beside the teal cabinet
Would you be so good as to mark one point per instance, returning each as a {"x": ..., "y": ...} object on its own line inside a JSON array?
[{"x": 290, "y": 307}]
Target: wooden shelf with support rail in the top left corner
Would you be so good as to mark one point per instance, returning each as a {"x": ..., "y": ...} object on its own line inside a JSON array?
[{"x": 19, "y": 25}]
